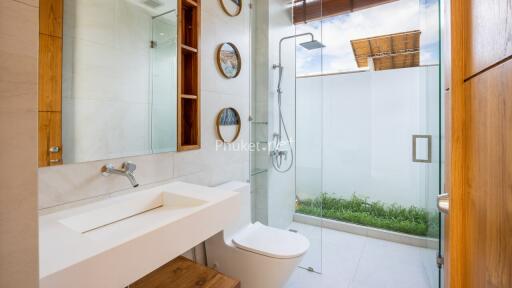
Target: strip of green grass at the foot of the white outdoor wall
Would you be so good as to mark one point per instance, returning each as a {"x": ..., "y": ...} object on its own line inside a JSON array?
[{"x": 357, "y": 210}]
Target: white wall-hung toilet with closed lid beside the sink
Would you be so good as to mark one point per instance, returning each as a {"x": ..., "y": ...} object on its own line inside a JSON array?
[{"x": 258, "y": 255}]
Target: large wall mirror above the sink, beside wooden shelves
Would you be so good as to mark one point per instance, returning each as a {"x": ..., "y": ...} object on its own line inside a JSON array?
[{"x": 119, "y": 79}]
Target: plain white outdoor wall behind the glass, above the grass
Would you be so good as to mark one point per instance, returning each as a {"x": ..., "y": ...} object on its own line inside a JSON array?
[{"x": 356, "y": 136}]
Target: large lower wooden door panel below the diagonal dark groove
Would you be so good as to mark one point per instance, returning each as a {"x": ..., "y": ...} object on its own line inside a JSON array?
[{"x": 489, "y": 178}]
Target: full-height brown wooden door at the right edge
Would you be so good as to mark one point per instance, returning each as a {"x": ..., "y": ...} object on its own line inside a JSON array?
[{"x": 480, "y": 147}]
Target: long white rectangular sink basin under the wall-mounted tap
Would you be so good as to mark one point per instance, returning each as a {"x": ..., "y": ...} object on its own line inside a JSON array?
[{"x": 114, "y": 242}]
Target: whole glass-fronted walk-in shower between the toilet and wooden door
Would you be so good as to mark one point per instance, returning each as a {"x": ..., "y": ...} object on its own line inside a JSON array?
[{"x": 364, "y": 115}]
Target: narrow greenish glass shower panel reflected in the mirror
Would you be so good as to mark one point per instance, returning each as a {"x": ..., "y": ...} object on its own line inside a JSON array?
[{"x": 164, "y": 83}]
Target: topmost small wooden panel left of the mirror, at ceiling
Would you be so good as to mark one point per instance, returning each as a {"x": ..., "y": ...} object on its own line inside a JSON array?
[{"x": 50, "y": 17}]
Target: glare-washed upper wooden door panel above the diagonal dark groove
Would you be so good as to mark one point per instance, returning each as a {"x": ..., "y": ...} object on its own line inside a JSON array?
[{"x": 488, "y": 33}]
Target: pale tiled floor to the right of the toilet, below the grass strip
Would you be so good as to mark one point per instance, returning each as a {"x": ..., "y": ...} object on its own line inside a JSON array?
[{"x": 352, "y": 261}]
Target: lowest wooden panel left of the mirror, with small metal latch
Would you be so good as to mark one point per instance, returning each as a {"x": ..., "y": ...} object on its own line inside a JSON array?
[{"x": 50, "y": 125}]
